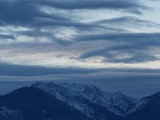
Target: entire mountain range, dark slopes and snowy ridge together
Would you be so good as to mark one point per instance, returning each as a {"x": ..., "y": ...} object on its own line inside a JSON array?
[{"x": 50, "y": 101}]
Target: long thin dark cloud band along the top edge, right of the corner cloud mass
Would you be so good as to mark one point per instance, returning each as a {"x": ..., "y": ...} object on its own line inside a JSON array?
[{"x": 92, "y": 4}]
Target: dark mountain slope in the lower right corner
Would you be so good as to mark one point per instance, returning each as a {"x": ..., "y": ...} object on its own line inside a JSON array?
[{"x": 147, "y": 108}]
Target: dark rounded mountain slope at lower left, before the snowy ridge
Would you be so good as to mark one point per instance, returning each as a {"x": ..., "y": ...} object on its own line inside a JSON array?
[{"x": 30, "y": 103}]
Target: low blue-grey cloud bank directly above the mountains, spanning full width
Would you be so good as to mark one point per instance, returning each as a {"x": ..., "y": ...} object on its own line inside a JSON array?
[{"x": 133, "y": 82}]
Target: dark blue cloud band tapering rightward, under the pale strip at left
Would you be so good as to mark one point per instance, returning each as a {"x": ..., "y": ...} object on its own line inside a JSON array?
[{"x": 23, "y": 70}]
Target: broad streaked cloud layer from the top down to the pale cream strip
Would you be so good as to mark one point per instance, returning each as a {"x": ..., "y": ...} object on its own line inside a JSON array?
[{"x": 104, "y": 32}]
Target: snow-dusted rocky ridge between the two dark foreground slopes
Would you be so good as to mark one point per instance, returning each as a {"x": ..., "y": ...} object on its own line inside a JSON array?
[{"x": 76, "y": 95}]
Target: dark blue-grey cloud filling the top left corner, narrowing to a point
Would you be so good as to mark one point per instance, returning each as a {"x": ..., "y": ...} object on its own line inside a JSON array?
[{"x": 16, "y": 12}]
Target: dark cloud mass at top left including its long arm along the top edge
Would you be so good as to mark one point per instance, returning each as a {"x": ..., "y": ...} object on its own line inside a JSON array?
[{"x": 27, "y": 12}]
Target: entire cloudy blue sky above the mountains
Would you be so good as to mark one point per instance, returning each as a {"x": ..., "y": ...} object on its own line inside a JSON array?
[{"x": 115, "y": 42}]
